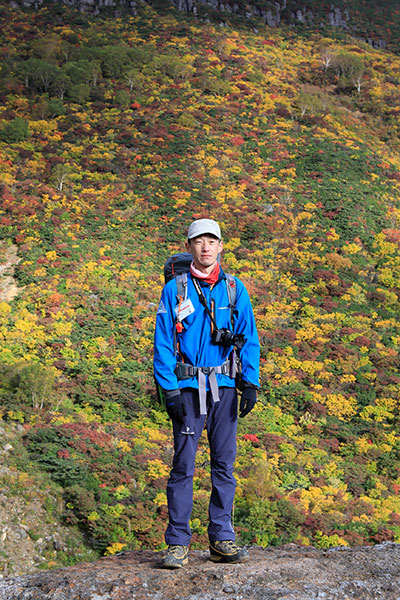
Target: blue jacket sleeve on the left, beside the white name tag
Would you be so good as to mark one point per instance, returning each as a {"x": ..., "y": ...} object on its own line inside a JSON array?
[{"x": 164, "y": 351}]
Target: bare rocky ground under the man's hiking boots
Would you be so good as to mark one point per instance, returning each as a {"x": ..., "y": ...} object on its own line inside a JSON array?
[{"x": 286, "y": 573}]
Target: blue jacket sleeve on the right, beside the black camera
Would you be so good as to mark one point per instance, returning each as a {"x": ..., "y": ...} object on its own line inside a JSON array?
[{"x": 245, "y": 324}]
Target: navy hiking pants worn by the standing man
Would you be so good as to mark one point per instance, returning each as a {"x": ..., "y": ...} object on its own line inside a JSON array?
[{"x": 221, "y": 423}]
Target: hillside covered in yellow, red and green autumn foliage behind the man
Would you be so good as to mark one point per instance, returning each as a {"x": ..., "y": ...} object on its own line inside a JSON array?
[{"x": 114, "y": 135}]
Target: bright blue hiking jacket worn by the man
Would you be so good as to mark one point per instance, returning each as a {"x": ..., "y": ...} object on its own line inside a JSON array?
[{"x": 194, "y": 342}]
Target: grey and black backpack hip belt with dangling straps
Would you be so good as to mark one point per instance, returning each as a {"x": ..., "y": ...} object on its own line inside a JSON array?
[{"x": 186, "y": 371}]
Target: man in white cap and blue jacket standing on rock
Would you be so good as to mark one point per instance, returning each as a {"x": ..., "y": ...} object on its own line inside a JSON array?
[{"x": 195, "y": 356}]
